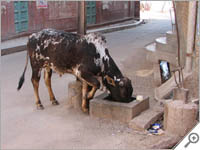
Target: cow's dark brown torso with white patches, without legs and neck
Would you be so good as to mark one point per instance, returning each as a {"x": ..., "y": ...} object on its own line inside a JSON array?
[{"x": 61, "y": 50}]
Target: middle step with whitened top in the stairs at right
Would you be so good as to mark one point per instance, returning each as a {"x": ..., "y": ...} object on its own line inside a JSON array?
[{"x": 162, "y": 45}]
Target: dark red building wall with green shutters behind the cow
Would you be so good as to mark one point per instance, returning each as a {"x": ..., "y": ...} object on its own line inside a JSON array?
[{"x": 61, "y": 15}]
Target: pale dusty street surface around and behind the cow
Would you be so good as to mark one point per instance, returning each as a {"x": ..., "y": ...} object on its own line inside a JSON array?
[{"x": 24, "y": 127}]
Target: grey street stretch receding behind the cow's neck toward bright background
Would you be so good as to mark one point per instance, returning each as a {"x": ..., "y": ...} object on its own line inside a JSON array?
[{"x": 122, "y": 43}]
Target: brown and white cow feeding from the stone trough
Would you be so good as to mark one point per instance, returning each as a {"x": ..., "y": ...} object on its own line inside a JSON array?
[{"x": 85, "y": 56}]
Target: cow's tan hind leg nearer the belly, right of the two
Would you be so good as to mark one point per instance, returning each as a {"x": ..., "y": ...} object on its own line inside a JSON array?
[{"x": 47, "y": 79}]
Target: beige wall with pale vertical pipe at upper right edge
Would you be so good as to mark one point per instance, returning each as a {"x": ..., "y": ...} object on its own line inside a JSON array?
[{"x": 186, "y": 16}]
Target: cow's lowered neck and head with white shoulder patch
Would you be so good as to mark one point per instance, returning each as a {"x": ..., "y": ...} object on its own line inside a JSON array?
[{"x": 120, "y": 87}]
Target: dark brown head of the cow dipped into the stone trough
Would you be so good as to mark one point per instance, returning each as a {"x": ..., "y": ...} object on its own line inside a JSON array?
[{"x": 121, "y": 89}]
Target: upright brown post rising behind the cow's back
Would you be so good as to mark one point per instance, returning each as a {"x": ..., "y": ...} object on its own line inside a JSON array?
[{"x": 81, "y": 18}]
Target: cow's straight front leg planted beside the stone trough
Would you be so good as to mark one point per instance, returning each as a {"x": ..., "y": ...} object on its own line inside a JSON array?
[{"x": 84, "y": 96}]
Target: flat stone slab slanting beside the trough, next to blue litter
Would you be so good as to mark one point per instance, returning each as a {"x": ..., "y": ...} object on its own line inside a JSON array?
[{"x": 146, "y": 118}]
